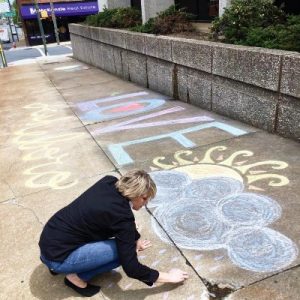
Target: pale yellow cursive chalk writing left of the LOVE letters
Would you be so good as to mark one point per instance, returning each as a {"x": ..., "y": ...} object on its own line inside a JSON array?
[{"x": 42, "y": 149}]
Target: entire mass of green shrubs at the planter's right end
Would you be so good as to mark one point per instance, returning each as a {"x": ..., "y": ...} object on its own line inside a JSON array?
[{"x": 258, "y": 23}]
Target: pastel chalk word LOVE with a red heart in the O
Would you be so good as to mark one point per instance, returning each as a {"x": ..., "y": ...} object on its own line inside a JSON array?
[{"x": 147, "y": 106}]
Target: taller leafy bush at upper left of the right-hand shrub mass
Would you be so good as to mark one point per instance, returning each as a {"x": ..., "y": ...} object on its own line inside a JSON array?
[{"x": 244, "y": 15}]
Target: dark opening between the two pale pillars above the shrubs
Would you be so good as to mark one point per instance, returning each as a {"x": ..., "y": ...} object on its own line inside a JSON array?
[{"x": 203, "y": 10}]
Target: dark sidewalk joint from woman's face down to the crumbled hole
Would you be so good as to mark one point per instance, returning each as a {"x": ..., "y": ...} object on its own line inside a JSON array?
[{"x": 214, "y": 291}]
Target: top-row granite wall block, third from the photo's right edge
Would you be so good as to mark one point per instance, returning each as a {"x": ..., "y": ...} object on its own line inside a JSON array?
[{"x": 192, "y": 53}]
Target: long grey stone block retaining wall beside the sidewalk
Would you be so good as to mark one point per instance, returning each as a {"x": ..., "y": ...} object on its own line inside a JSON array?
[{"x": 260, "y": 87}]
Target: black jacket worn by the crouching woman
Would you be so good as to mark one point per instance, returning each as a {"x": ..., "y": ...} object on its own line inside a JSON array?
[{"x": 98, "y": 214}]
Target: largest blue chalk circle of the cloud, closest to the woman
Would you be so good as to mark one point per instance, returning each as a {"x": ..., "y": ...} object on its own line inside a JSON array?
[{"x": 191, "y": 225}]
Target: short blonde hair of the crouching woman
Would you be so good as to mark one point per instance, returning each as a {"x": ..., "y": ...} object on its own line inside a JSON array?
[{"x": 136, "y": 183}]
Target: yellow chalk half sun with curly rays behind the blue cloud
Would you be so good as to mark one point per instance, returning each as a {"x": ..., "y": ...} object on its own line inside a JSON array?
[{"x": 187, "y": 162}]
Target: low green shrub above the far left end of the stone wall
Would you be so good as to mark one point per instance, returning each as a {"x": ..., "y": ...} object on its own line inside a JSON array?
[{"x": 116, "y": 18}]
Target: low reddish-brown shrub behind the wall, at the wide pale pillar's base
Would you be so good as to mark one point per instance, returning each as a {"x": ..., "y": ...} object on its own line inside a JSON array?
[{"x": 169, "y": 21}]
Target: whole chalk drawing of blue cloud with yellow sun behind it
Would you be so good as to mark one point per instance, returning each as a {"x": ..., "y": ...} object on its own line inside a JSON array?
[{"x": 204, "y": 207}]
